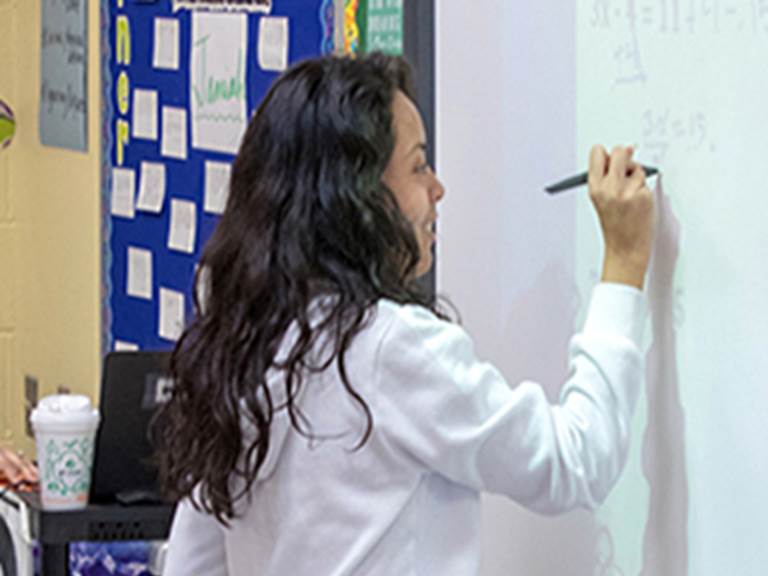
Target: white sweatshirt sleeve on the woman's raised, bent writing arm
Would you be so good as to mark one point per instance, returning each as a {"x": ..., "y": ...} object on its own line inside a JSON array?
[{"x": 446, "y": 411}]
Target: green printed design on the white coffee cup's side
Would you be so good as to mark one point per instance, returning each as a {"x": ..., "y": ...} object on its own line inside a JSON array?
[{"x": 67, "y": 469}]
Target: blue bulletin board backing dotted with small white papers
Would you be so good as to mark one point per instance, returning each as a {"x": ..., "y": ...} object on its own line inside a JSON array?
[{"x": 136, "y": 310}]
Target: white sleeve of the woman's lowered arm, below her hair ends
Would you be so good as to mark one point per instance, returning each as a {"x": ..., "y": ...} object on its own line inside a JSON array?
[{"x": 196, "y": 545}]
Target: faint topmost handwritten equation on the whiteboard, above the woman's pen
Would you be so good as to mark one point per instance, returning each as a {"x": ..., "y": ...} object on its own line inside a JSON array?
[{"x": 633, "y": 20}]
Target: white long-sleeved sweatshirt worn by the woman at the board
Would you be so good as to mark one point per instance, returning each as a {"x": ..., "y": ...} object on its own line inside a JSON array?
[{"x": 446, "y": 426}]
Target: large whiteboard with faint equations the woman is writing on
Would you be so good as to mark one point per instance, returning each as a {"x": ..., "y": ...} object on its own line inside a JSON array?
[{"x": 523, "y": 91}]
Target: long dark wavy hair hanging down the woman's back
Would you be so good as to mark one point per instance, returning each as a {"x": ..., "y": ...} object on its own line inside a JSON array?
[{"x": 307, "y": 216}]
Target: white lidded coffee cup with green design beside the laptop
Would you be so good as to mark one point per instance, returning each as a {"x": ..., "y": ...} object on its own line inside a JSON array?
[{"x": 65, "y": 429}]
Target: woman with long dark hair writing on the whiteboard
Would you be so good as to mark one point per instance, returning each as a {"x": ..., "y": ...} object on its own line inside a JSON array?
[{"x": 326, "y": 418}]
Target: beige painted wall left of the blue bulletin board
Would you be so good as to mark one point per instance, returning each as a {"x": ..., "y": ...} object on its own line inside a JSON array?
[{"x": 49, "y": 233}]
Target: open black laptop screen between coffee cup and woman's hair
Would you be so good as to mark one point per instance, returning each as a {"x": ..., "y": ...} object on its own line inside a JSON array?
[{"x": 133, "y": 386}]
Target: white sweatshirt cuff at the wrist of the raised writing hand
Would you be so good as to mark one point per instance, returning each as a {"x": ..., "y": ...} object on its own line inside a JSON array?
[{"x": 617, "y": 309}]
